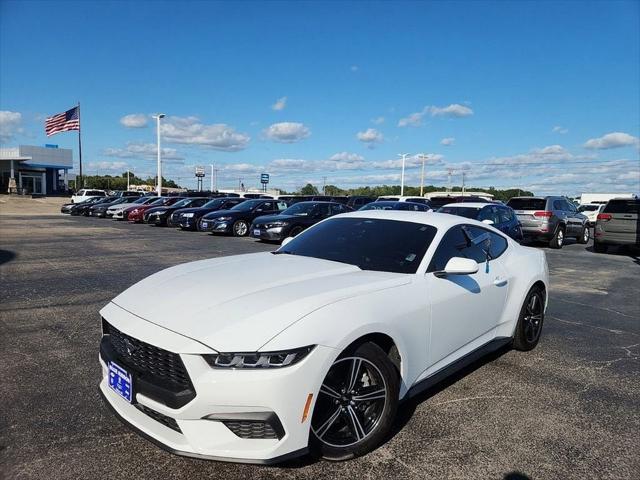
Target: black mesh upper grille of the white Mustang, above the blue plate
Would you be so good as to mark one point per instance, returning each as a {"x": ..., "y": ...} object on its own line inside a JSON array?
[{"x": 148, "y": 360}]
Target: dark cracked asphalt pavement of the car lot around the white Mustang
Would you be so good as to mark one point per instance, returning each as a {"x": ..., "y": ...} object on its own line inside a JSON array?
[{"x": 568, "y": 409}]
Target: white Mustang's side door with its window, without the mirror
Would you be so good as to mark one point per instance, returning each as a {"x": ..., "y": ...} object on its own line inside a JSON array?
[{"x": 465, "y": 309}]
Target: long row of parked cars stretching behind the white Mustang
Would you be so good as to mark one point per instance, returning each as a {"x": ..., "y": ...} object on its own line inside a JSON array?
[{"x": 550, "y": 219}]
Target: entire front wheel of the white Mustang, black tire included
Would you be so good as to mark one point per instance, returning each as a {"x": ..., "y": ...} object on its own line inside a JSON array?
[{"x": 335, "y": 435}]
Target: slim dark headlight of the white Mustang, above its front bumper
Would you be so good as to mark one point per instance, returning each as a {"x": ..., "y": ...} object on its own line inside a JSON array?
[{"x": 258, "y": 359}]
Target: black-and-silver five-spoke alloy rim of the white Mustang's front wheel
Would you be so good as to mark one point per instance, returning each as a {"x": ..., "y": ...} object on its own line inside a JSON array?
[{"x": 350, "y": 403}]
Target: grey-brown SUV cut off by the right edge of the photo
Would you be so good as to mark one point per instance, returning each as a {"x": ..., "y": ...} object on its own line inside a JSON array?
[{"x": 618, "y": 224}]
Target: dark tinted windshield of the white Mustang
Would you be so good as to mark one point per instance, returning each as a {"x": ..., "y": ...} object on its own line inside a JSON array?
[{"x": 367, "y": 243}]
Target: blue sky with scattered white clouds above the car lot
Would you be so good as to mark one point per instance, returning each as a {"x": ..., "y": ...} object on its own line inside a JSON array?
[{"x": 536, "y": 95}]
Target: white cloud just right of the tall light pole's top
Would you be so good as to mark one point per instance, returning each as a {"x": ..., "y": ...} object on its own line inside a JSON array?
[{"x": 189, "y": 130}]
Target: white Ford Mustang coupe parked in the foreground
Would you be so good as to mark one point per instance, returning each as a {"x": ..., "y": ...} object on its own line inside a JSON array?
[{"x": 262, "y": 357}]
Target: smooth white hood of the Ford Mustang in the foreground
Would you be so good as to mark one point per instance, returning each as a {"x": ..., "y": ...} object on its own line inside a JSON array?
[{"x": 239, "y": 303}]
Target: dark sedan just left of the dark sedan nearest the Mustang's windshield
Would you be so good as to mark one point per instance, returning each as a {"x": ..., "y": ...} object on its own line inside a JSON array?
[{"x": 238, "y": 219}]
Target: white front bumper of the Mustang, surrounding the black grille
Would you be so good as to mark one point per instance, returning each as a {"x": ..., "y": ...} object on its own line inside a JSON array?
[{"x": 221, "y": 394}]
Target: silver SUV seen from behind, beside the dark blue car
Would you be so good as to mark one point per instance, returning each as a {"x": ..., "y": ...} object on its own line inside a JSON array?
[{"x": 551, "y": 219}]
